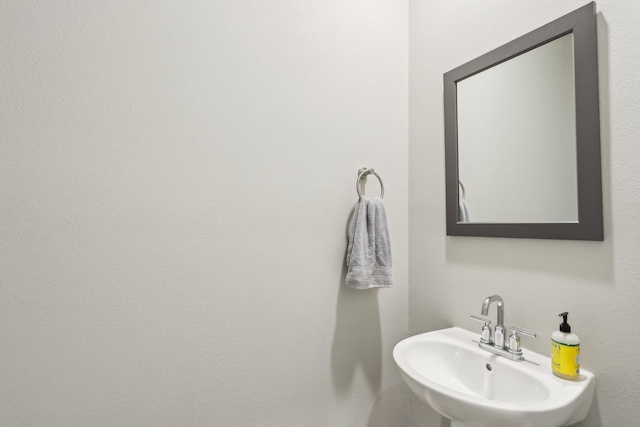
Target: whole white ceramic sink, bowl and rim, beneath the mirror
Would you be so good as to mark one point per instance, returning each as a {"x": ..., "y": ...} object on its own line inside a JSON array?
[{"x": 475, "y": 388}]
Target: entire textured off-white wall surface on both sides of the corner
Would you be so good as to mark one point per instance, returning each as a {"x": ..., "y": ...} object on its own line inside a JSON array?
[{"x": 176, "y": 182}]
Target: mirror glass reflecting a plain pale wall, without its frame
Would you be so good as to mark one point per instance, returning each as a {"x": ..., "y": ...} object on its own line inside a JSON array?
[{"x": 517, "y": 138}]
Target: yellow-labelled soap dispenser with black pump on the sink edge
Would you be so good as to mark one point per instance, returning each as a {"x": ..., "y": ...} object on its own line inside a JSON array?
[{"x": 565, "y": 351}]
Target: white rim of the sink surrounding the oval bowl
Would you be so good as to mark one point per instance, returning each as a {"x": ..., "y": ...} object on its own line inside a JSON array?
[{"x": 561, "y": 393}]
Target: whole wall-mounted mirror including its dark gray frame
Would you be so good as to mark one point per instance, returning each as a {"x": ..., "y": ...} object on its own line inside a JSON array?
[{"x": 522, "y": 136}]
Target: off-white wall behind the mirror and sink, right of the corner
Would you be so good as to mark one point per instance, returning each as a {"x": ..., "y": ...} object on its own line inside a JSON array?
[{"x": 597, "y": 282}]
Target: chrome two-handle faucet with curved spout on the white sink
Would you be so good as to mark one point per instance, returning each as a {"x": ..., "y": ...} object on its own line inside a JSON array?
[{"x": 498, "y": 344}]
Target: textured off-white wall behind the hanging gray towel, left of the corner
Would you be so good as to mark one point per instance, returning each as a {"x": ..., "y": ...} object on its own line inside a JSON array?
[{"x": 176, "y": 183}]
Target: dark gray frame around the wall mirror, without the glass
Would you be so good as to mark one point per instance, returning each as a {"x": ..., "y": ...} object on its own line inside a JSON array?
[{"x": 582, "y": 23}]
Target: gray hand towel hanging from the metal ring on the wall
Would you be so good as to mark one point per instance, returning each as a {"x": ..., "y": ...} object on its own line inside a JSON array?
[{"x": 369, "y": 249}]
